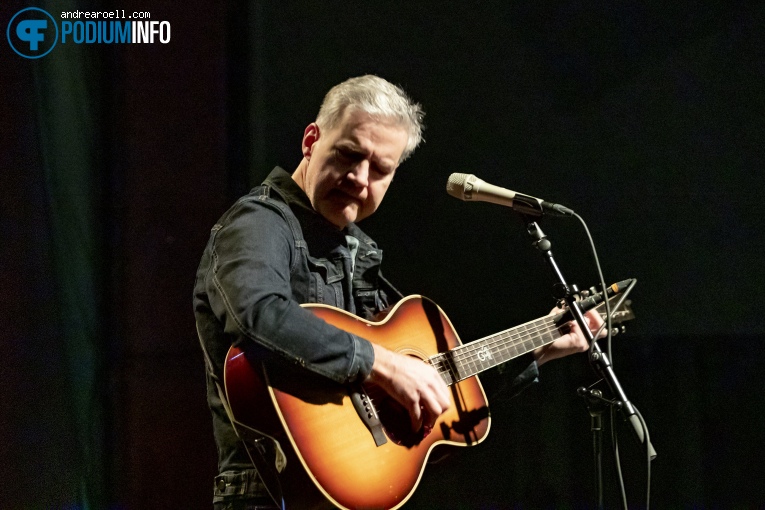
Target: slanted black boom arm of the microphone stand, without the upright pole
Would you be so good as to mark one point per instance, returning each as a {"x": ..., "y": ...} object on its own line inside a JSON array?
[{"x": 598, "y": 359}]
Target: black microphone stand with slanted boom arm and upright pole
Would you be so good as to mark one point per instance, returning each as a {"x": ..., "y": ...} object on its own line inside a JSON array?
[{"x": 598, "y": 360}]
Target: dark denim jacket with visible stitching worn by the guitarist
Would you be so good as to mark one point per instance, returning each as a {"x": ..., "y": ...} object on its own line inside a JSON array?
[{"x": 267, "y": 254}]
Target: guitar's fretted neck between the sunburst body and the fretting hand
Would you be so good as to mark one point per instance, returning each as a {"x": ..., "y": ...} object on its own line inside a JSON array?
[{"x": 475, "y": 357}]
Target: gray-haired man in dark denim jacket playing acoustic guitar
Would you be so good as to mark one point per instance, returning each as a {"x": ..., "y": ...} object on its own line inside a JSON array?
[{"x": 294, "y": 240}]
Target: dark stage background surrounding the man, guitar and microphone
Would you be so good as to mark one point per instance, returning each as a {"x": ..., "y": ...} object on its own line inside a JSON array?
[{"x": 644, "y": 117}]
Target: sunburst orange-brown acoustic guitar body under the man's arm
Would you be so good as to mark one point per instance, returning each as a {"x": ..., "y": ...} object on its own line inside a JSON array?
[{"x": 322, "y": 432}]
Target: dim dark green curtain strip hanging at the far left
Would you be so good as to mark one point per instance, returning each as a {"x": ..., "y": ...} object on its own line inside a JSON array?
[{"x": 68, "y": 89}]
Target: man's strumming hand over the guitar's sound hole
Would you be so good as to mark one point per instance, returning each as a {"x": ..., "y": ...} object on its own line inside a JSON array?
[{"x": 413, "y": 384}]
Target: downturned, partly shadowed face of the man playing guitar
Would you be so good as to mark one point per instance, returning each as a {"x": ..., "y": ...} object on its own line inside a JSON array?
[{"x": 351, "y": 166}]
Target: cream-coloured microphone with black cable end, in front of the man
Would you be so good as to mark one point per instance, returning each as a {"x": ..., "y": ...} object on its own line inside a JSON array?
[{"x": 468, "y": 187}]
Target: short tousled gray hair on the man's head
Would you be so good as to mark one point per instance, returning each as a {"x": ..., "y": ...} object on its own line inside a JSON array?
[{"x": 380, "y": 99}]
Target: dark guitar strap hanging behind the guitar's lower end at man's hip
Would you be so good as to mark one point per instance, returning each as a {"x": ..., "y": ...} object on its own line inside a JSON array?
[{"x": 256, "y": 443}]
